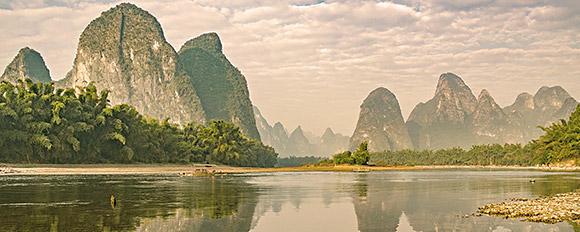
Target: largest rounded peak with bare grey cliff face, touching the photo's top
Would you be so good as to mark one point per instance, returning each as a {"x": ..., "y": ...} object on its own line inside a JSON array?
[{"x": 124, "y": 50}]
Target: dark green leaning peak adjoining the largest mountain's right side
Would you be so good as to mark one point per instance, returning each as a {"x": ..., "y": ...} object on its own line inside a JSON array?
[{"x": 221, "y": 87}]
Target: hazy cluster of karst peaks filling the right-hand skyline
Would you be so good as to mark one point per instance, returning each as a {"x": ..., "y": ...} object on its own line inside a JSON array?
[{"x": 455, "y": 117}]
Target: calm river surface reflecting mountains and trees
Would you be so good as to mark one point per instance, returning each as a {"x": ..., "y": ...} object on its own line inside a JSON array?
[{"x": 418, "y": 200}]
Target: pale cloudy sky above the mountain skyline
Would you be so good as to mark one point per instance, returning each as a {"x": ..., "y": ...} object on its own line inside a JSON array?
[{"x": 312, "y": 63}]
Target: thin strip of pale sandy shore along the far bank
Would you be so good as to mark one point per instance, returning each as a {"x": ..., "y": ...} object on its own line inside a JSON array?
[{"x": 125, "y": 169}]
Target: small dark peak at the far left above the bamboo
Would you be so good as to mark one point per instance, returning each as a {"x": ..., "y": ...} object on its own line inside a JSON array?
[{"x": 28, "y": 63}]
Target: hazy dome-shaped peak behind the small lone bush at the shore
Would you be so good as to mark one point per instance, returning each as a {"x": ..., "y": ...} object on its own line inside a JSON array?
[{"x": 381, "y": 123}]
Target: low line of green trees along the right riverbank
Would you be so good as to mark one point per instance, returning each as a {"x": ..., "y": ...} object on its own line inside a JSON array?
[{"x": 560, "y": 143}]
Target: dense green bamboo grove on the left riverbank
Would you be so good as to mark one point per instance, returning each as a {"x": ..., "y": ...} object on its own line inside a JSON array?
[{"x": 41, "y": 124}]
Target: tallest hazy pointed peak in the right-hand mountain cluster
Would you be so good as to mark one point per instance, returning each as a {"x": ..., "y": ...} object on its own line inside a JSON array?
[{"x": 442, "y": 121}]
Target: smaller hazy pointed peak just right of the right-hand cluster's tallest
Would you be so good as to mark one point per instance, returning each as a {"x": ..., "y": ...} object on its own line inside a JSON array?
[{"x": 490, "y": 124}]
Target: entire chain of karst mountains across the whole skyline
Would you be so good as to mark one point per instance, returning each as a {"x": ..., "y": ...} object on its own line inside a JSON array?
[{"x": 124, "y": 50}]
